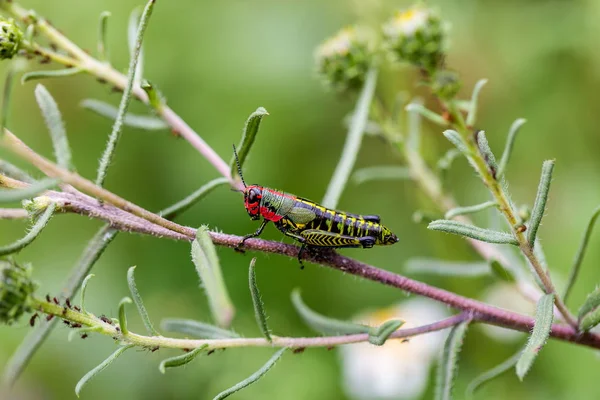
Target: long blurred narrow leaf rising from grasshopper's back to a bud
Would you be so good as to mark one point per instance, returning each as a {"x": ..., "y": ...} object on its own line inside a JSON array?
[{"x": 353, "y": 141}]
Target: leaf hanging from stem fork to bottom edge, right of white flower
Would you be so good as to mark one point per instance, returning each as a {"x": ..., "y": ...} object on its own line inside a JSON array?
[{"x": 448, "y": 364}]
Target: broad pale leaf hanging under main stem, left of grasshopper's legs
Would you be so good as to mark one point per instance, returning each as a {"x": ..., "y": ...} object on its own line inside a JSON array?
[{"x": 204, "y": 256}]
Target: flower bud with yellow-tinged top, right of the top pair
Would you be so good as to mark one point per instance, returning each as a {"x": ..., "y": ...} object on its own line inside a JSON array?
[{"x": 416, "y": 36}]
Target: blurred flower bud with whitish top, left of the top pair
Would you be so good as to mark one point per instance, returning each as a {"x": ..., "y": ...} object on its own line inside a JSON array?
[{"x": 344, "y": 59}]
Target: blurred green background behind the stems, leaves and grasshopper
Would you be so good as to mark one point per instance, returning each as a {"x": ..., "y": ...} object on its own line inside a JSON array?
[{"x": 216, "y": 62}]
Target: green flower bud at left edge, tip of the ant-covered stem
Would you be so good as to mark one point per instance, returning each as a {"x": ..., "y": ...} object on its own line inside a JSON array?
[{"x": 16, "y": 290}]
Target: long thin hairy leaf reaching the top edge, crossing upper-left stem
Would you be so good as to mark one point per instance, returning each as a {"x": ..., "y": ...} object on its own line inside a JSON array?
[{"x": 108, "y": 154}]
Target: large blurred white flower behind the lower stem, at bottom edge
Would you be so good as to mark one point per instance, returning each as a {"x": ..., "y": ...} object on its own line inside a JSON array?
[{"x": 400, "y": 368}]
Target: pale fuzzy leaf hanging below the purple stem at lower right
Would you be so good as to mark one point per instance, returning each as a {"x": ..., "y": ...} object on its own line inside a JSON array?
[{"x": 544, "y": 314}]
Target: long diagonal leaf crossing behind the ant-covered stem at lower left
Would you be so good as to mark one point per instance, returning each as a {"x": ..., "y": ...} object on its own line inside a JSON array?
[{"x": 36, "y": 338}]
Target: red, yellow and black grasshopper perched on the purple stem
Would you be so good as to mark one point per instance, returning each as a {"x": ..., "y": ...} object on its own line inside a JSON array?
[{"x": 309, "y": 223}]
